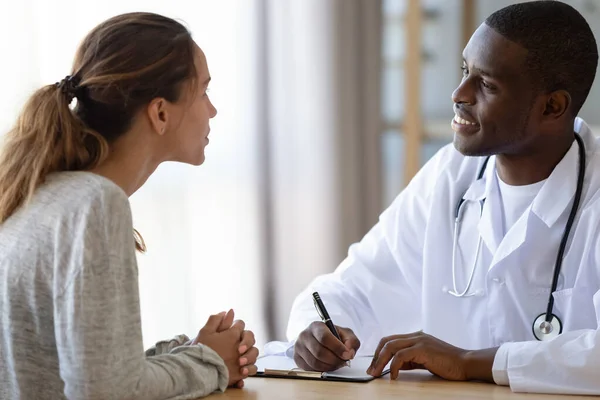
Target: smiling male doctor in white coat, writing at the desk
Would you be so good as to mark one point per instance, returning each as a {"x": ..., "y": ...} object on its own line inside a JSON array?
[{"x": 511, "y": 292}]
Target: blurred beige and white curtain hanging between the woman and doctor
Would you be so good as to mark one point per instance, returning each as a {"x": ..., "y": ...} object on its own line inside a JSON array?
[{"x": 323, "y": 124}]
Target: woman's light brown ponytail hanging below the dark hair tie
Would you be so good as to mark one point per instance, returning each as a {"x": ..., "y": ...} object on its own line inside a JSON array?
[{"x": 48, "y": 137}]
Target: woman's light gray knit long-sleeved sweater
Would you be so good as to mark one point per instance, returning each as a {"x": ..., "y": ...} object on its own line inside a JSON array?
[{"x": 69, "y": 304}]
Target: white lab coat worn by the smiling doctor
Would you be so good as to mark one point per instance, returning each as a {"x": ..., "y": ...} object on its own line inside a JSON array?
[{"x": 396, "y": 279}]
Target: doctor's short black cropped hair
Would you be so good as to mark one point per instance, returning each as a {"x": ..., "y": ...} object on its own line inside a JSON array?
[{"x": 562, "y": 52}]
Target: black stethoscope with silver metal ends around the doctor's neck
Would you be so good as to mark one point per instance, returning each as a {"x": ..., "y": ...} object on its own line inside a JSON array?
[{"x": 547, "y": 325}]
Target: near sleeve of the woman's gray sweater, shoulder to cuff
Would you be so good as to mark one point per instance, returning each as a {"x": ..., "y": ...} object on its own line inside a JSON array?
[{"x": 98, "y": 324}]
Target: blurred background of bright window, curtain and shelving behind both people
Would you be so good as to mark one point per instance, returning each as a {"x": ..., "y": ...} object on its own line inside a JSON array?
[{"x": 326, "y": 109}]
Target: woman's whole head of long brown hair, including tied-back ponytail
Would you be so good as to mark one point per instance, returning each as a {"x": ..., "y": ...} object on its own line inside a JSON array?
[{"x": 120, "y": 66}]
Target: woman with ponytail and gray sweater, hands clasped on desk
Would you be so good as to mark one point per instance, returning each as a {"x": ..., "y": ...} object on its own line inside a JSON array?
[{"x": 68, "y": 274}]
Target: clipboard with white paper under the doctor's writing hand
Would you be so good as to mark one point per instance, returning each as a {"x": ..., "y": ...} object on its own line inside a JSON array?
[{"x": 284, "y": 367}]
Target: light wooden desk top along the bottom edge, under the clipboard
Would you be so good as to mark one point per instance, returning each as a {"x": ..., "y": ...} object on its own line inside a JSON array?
[{"x": 410, "y": 385}]
